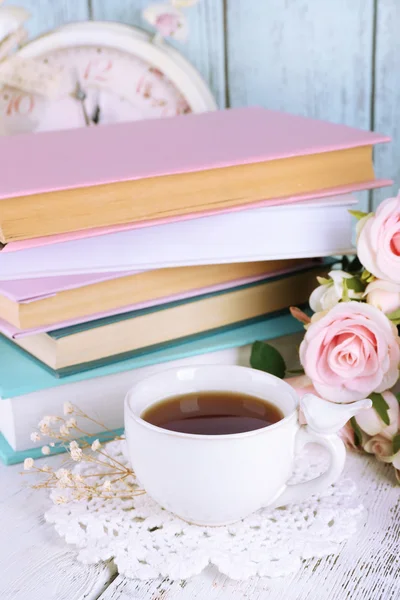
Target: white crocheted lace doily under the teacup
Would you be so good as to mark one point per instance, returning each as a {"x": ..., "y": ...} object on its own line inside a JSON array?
[{"x": 146, "y": 541}]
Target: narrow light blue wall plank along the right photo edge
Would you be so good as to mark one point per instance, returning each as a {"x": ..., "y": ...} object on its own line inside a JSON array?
[{"x": 387, "y": 94}]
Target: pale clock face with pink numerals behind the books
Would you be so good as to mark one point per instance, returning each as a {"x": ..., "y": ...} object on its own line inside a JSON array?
[{"x": 102, "y": 85}]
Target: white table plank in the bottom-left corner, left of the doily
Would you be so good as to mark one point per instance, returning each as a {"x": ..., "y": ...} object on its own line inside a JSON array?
[{"x": 35, "y": 563}]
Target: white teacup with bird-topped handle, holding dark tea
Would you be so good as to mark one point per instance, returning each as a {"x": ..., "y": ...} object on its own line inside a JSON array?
[{"x": 219, "y": 479}]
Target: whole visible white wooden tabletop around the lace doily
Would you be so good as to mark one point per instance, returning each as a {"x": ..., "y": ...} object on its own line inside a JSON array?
[{"x": 35, "y": 564}]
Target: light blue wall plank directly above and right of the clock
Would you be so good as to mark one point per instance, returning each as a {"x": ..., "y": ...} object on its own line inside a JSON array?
[{"x": 205, "y": 46}]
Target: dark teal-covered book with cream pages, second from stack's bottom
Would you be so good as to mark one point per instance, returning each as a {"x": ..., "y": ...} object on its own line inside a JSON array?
[{"x": 91, "y": 344}]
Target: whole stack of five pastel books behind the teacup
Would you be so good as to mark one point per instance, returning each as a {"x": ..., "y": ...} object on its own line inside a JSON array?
[{"x": 133, "y": 247}]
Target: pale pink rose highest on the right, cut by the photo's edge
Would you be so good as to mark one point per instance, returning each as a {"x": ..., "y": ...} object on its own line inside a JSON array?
[{"x": 378, "y": 241}]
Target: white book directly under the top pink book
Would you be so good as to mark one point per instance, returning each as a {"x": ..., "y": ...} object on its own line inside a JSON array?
[{"x": 314, "y": 228}]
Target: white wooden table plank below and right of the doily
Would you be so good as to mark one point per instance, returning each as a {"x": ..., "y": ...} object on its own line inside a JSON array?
[{"x": 367, "y": 568}]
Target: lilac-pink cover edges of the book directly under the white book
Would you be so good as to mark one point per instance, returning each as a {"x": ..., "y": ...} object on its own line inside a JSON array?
[{"x": 22, "y": 289}]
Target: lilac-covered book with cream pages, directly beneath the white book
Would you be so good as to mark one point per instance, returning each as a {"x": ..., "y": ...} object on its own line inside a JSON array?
[{"x": 45, "y": 301}]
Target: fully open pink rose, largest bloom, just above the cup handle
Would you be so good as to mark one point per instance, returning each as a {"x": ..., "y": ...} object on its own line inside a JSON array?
[{"x": 350, "y": 352}]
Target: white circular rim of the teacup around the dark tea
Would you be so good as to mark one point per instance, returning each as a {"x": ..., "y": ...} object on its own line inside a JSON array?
[{"x": 201, "y": 436}]
